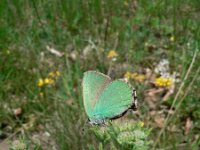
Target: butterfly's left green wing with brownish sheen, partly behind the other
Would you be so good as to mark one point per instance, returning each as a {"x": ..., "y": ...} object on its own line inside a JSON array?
[{"x": 93, "y": 85}]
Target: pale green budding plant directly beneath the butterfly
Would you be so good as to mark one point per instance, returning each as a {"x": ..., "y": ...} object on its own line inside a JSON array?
[{"x": 123, "y": 135}]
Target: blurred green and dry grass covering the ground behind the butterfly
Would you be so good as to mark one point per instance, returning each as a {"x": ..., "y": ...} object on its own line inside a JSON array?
[{"x": 141, "y": 32}]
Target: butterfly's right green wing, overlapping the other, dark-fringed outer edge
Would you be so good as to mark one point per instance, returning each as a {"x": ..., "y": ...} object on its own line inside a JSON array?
[{"x": 114, "y": 100}]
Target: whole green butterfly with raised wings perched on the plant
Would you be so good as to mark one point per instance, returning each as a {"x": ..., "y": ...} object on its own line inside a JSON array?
[{"x": 105, "y": 99}]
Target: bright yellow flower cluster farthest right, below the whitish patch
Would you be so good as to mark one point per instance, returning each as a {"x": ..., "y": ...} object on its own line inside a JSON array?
[{"x": 163, "y": 82}]
